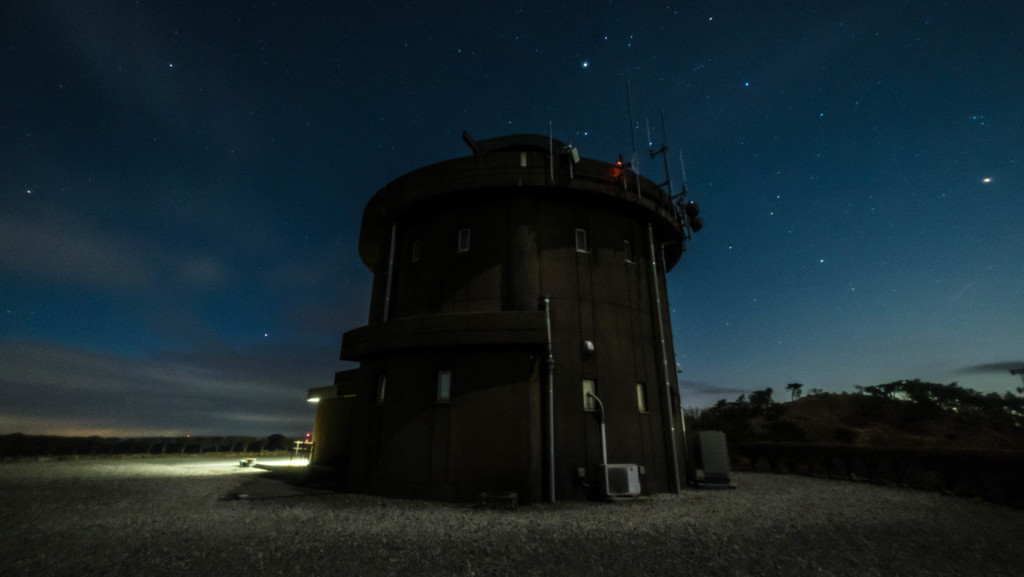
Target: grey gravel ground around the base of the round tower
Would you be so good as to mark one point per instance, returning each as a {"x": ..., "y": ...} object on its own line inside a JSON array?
[{"x": 166, "y": 517}]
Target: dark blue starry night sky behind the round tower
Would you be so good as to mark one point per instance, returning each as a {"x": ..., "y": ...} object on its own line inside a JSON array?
[{"x": 182, "y": 186}]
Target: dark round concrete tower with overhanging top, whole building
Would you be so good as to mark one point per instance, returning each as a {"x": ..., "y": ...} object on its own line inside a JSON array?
[{"x": 519, "y": 339}]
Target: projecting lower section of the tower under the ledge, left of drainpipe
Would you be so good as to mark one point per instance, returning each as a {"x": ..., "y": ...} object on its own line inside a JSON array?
[{"x": 439, "y": 426}]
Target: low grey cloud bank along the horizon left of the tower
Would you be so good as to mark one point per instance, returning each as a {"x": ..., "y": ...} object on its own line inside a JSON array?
[{"x": 51, "y": 389}]
